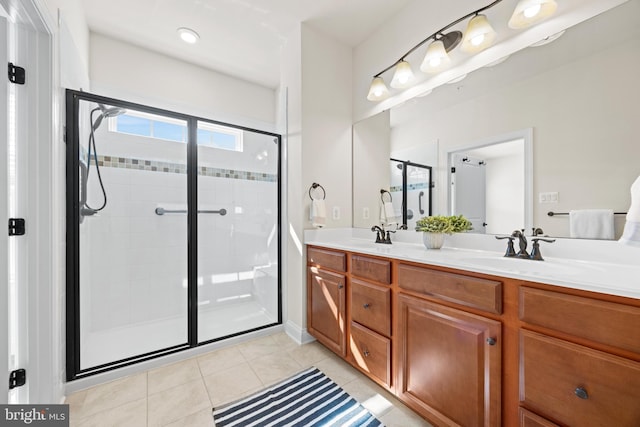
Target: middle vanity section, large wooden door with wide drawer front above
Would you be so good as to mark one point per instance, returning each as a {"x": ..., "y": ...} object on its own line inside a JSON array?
[{"x": 448, "y": 360}]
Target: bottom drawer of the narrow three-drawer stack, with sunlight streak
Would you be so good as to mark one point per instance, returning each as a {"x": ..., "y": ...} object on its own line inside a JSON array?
[{"x": 371, "y": 352}]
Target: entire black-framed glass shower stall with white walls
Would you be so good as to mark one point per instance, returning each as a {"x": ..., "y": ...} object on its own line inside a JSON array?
[{"x": 173, "y": 232}]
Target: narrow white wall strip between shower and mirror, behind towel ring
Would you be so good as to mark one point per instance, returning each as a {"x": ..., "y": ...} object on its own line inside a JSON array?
[{"x": 326, "y": 123}]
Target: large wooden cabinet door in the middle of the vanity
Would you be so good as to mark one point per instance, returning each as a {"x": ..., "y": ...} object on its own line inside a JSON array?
[{"x": 448, "y": 364}]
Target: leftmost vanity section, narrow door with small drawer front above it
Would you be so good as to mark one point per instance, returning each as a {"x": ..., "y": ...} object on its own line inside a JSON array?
[{"x": 326, "y": 298}]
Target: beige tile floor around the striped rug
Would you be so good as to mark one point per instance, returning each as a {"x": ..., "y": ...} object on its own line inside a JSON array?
[{"x": 182, "y": 394}]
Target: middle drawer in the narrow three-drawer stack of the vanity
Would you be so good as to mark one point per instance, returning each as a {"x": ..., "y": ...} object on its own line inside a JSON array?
[{"x": 371, "y": 306}]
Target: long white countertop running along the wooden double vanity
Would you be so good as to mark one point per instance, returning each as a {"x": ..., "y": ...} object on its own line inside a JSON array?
[{"x": 597, "y": 266}]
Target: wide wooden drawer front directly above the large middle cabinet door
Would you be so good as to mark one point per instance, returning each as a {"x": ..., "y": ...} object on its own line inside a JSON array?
[{"x": 473, "y": 292}]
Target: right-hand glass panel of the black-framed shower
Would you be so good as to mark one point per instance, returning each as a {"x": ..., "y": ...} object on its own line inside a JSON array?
[{"x": 237, "y": 280}]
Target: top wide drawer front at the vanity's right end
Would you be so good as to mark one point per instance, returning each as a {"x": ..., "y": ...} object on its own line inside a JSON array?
[{"x": 608, "y": 323}]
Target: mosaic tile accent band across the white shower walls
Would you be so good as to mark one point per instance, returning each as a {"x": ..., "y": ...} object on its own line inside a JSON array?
[{"x": 167, "y": 167}]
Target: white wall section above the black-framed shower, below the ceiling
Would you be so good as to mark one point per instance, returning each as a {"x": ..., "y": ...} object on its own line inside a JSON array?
[{"x": 122, "y": 70}]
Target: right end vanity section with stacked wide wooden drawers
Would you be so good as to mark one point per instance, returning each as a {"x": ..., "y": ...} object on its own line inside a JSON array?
[{"x": 579, "y": 359}]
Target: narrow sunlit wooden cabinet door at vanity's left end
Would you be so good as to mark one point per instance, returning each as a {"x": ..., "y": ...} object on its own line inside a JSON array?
[{"x": 326, "y": 318}]
